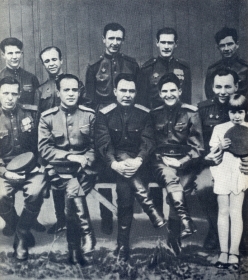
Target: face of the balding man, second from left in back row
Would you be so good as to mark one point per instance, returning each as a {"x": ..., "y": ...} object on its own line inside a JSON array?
[{"x": 51, "y": 62}]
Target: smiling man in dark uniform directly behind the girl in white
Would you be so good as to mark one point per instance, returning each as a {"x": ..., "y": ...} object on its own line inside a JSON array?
[{"x": 212, "y": 112}]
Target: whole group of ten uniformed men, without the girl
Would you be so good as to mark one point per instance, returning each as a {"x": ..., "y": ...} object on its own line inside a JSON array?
[{"x": 125, "y": 122}]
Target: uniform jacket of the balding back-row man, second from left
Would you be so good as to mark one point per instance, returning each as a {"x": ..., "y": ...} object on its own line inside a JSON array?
[{"x": 47, "y": 95}]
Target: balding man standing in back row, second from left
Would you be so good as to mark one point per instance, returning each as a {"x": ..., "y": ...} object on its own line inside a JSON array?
[{"x": 51, "y": 58}]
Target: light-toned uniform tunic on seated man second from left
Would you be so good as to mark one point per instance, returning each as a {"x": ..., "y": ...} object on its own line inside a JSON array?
[{"x": 64, "y": 132}]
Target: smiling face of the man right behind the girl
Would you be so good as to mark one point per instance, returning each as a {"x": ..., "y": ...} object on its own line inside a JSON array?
[{"x": 224, "y": 86}]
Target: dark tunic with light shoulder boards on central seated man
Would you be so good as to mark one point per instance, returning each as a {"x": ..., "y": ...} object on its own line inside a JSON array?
[{"x": 124, "y": 129}]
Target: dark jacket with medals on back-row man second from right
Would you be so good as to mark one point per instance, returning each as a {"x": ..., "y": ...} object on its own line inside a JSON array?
[{"x": 150, "y": 74}]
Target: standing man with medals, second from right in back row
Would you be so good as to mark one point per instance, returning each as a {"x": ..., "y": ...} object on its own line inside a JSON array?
[{"x": 155, "y": 68}]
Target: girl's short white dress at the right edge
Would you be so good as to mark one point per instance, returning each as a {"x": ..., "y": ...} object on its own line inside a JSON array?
[{"x": 227, "y": 176}]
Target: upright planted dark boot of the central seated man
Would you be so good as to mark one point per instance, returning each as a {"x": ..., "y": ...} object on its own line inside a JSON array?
[{"x": 125, "y": 217}]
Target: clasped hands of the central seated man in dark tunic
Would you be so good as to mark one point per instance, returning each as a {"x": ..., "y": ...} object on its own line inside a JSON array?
[{"x": 128, "y": 167}]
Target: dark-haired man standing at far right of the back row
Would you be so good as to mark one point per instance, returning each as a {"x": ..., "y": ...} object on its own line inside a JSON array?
[{"x": 228, "y": 44}]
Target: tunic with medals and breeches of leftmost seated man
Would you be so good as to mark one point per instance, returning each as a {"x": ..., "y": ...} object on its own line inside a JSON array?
[{"x": 18, "y": 134}]
